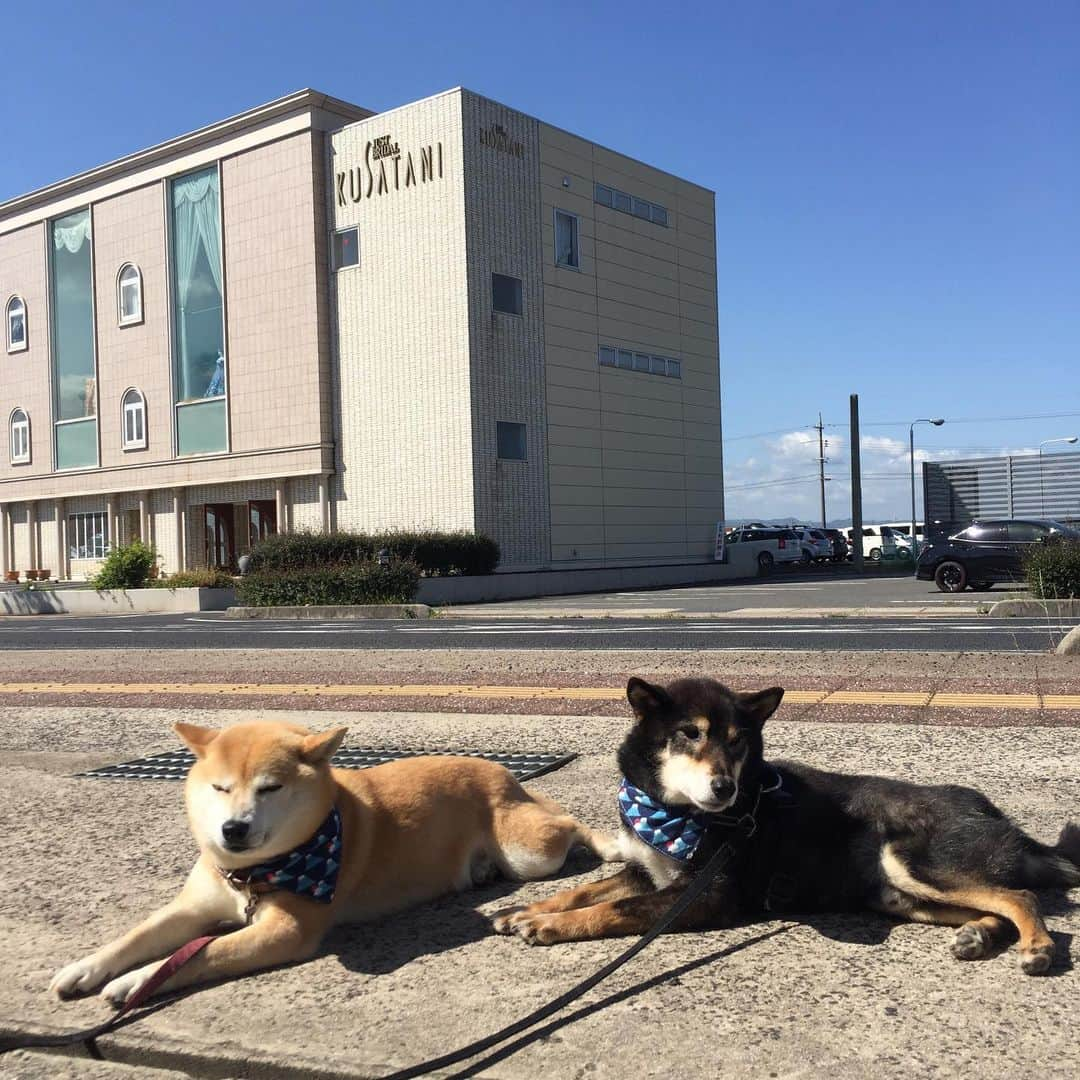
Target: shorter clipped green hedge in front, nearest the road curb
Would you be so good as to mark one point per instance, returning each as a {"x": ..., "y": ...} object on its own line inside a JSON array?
[{"x": 356, "y": 584}]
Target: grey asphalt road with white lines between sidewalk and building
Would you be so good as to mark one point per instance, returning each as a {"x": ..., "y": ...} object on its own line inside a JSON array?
[{"x": 211, "y": 631}]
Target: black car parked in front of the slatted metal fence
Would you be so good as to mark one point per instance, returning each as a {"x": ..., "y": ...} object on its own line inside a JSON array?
[{"x": 987, "y": 552}]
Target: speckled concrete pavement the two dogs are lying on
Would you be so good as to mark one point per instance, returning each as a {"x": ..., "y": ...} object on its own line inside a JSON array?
[{"x": 845, "y": 996}]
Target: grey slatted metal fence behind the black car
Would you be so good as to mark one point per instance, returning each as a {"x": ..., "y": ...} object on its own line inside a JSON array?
[{"x": 1029, "y": 485}]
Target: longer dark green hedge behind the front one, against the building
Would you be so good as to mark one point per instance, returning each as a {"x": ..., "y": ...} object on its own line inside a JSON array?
[{"x": 437, "y": 555}]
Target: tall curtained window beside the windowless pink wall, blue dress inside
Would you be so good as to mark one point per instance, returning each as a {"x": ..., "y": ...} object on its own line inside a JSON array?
[{"x": 198, "y": 313}]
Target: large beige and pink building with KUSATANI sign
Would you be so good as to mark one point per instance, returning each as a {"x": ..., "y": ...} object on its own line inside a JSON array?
[{"x": 310, "y": 316}]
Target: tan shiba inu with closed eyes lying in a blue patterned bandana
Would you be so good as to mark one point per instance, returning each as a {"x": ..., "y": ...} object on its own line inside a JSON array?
[{"x": 291, "y": 847}]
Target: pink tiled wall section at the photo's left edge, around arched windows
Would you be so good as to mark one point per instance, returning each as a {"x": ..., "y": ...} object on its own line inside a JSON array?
[{"x": 25, "y": 381}]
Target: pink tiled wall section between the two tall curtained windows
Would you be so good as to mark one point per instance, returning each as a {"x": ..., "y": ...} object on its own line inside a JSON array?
[{"x": 131, "y": 228}]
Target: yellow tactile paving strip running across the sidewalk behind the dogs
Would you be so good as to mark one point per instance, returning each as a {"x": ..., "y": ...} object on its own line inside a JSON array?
[{"x": 917, "y": 699}]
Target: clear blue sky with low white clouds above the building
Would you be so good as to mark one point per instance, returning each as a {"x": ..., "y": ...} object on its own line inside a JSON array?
[{"x": 897, "y": 185}]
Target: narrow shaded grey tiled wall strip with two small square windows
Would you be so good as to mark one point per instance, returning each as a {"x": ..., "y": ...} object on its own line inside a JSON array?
[{"x": 503, "y": 219}]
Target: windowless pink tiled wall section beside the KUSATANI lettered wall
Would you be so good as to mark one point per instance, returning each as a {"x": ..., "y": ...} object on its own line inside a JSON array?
[{"x": 268, "y": 212}]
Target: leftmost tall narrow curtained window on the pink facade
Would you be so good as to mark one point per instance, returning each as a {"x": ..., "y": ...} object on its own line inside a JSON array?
[{"x": 75, "y": 377}]
